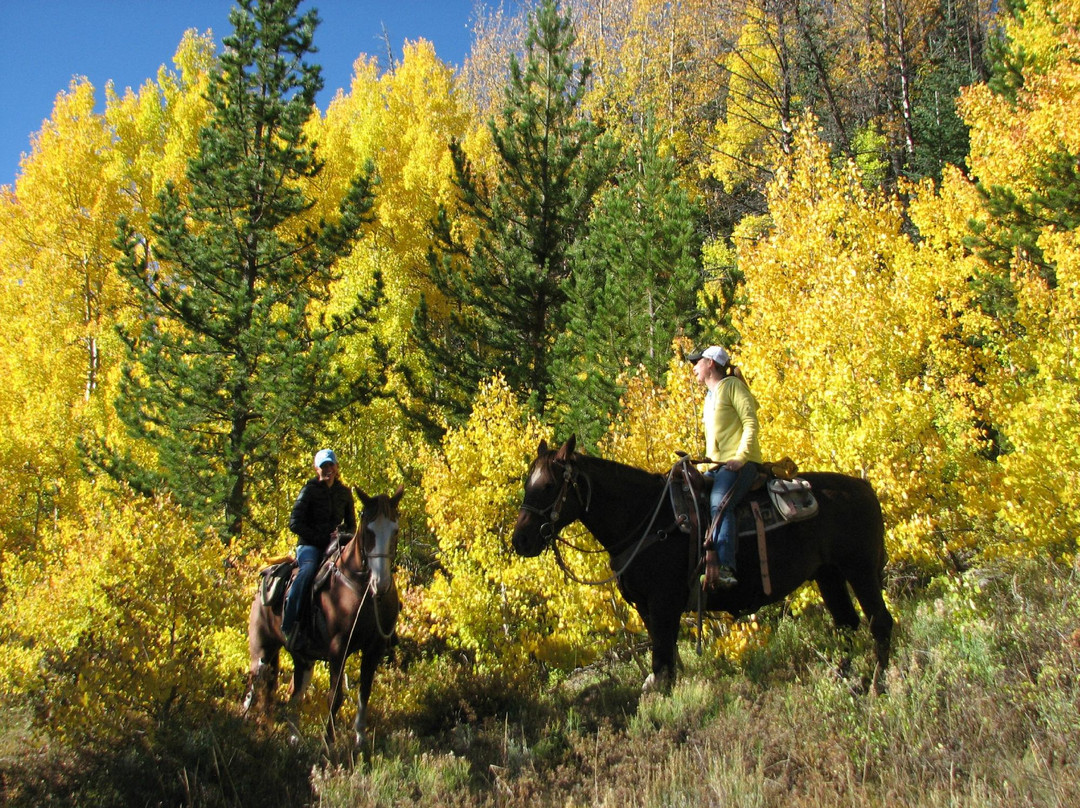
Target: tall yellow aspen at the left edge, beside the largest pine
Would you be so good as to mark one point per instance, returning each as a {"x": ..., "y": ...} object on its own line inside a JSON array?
[{"x": 59, "y": 298}]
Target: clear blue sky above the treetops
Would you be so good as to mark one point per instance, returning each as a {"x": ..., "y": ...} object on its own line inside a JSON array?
[{"x": 47, "y": 43}]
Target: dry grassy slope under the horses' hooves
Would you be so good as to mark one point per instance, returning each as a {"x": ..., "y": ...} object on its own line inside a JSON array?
[{"x": 982, "y": 708}]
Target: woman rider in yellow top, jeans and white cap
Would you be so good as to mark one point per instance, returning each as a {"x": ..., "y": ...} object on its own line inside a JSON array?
[{"x": 732, "y": 441}]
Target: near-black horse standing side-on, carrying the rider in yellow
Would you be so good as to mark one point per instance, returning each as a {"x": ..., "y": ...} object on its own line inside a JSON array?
[{"x": 630, "y": 513}]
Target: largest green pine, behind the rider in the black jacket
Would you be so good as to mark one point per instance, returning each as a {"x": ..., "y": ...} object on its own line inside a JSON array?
[{"x": 228, "y": 362}]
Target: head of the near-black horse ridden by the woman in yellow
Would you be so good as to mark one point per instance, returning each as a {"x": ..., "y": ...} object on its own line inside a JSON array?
[{"x": 548, "y": 506}]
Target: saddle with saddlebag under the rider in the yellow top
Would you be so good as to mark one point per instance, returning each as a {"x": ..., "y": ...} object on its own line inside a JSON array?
[{"x": 776, "y": 499}]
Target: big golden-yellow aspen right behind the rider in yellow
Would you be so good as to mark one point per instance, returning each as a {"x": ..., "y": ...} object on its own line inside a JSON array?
[{"x": 841, "y": 336}]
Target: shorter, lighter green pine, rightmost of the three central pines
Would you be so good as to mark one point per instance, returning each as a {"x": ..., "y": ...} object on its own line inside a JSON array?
[{"x": 637, "y": 278}]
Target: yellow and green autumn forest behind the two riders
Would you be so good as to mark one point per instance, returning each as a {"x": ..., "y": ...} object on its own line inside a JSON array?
[{"x": 874, "y": 205}]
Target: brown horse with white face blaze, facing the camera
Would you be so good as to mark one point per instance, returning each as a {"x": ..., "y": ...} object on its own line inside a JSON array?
[{"x": 359, "y": 609}]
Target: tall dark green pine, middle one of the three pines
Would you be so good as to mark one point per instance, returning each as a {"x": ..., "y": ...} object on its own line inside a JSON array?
[{"x": 508, "y": 292}]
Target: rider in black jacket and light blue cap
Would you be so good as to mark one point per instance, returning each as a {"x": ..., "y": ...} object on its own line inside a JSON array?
[{"x": 325, "y": 507}]
